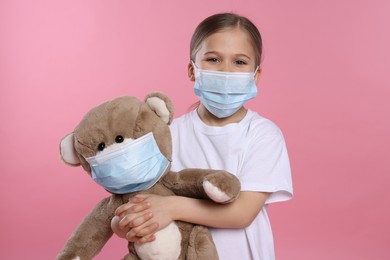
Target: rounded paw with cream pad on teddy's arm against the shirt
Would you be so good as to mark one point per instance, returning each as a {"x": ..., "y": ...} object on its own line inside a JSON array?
[{"x": 221, "y": 187}]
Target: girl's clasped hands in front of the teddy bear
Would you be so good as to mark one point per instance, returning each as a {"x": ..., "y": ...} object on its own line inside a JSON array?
[{"x": 142, "y": 217}]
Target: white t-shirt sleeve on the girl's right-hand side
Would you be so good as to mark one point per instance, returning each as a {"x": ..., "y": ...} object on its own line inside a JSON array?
[{"x": 266, "y": 167}]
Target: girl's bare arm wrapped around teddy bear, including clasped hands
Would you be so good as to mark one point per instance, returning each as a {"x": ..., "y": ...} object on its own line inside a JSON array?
[{"x": 146, "y": 214}]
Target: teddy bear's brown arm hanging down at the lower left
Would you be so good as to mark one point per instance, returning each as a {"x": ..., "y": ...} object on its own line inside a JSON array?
[{"x": 92, "y": 233}]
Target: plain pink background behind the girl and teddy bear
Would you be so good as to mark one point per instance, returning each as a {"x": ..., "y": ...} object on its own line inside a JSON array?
[{"x": 325, "y": 83}]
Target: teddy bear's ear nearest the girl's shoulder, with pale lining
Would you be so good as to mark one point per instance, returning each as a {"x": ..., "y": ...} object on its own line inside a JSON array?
[{"x": 161, "y": 105}]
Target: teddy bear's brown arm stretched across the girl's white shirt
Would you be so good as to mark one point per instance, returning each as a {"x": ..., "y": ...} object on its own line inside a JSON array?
[{"x": 217, "y": 185}]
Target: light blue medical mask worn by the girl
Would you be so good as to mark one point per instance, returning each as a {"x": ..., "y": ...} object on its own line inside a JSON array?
[{"x": 224, "y": 93}]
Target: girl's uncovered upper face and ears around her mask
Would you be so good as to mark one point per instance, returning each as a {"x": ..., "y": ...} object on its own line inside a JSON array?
[{"x": 229, "y": 50}]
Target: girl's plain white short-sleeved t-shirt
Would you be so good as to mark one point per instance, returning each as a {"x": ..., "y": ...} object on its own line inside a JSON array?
[{"x": 254, "y": 150}]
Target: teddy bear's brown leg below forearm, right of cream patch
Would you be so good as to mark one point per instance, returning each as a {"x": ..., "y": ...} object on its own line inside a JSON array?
[{"x": 201, "y": 245}]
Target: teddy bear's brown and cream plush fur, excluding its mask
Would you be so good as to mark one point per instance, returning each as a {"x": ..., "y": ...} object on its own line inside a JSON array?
[{"x": 133, "y": 118}]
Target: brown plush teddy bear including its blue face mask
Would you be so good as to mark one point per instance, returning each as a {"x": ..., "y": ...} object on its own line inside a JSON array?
[{"x": 125, "y": 145}]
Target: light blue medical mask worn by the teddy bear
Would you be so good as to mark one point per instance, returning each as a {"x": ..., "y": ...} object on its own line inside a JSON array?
[{"x": 129, "y": 167}]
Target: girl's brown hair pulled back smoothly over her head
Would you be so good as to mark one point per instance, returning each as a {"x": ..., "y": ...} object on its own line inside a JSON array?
[{"x": 221, "y": 21}]
